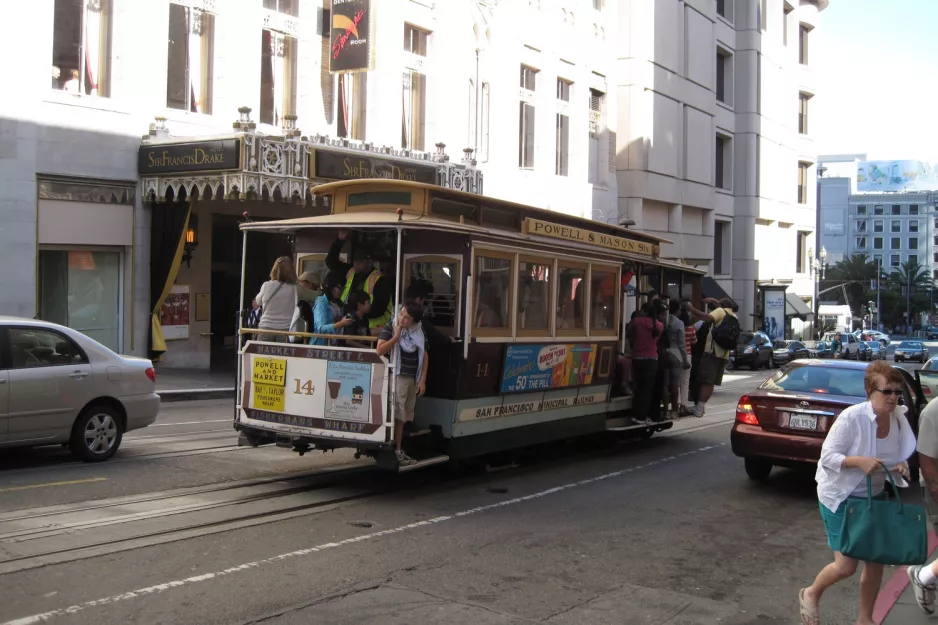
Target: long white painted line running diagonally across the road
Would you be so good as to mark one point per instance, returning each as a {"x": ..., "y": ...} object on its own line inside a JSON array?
[{"x": 248, "y": 566}]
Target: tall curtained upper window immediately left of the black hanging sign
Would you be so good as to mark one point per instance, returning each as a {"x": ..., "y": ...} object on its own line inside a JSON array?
[{"x": 278, "y": 77}]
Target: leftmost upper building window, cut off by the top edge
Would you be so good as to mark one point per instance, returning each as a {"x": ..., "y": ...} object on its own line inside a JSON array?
[{"x": 81, "y": 47}]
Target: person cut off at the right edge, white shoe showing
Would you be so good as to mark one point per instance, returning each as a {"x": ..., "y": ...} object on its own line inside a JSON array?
[{"x": 924, "y": 578}]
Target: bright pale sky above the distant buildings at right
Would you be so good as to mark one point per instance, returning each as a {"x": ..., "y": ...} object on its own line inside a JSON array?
[{"x": 877, "y": 79}]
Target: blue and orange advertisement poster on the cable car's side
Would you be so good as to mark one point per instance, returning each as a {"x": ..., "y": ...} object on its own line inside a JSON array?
[{"x": 543, "y": 367}]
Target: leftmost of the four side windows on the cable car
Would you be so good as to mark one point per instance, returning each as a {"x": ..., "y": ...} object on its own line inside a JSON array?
[{"x": 492, "y": 293}]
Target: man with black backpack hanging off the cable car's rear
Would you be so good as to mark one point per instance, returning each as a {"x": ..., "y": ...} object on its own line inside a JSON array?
[{"x": 724, "y": 332}]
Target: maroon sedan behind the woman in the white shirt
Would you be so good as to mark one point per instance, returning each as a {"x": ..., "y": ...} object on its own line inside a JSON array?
[{"x": 784, "y": 422}]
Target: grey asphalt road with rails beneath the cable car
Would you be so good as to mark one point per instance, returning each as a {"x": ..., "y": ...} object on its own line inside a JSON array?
[{"x": 183, "y": 526}]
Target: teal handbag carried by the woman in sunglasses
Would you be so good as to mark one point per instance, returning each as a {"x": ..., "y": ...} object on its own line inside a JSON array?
[{"x": 885, "y": 532}]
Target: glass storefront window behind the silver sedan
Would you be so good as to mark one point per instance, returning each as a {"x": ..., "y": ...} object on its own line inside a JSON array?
[{"x": 82, "y": 290}]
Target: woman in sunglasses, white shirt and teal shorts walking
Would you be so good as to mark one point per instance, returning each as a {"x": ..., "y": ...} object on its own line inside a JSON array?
[{"x": 863, "y": 438}]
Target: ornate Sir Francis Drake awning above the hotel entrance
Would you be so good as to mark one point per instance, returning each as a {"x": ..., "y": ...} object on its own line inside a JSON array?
[{"x": 248, "y": 165}]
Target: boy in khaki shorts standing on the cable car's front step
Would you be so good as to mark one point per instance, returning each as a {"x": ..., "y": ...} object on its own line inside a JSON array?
[{"x": 404, "y": 335}]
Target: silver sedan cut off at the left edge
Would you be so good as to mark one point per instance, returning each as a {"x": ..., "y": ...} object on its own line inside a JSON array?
[{"x": 57, "y": 386}]
